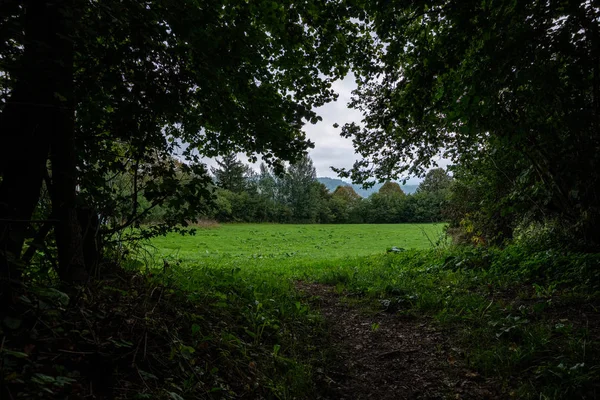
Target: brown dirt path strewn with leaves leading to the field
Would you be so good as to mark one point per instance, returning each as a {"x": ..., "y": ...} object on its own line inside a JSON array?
[{"x": 386, "y": 356}]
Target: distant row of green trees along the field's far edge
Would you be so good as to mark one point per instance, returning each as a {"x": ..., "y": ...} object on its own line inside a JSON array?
[{"x": 295, "y": 196}]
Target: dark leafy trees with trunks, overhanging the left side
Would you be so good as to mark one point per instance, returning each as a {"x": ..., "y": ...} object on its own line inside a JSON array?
[{"x": 107, "y": 91}]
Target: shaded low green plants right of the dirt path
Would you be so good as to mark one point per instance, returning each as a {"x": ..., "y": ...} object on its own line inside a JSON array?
[{"x": 529, "y": 318}]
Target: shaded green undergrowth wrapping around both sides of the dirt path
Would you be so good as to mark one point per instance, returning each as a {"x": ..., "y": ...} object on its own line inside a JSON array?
[{"x": 235, "y": 327}]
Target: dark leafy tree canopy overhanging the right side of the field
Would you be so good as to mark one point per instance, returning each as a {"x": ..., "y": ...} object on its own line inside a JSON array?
[{"x": 477, "y": 80}]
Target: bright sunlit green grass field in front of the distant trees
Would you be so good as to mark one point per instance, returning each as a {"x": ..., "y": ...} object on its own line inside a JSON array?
[{"x": 293, "y": 243}]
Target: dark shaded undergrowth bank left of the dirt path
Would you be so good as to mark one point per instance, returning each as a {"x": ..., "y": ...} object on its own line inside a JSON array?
[{"x": 161, "y": 335}]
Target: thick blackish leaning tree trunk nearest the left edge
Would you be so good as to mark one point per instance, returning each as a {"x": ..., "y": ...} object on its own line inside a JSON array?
[{"x": 24, "y": 135}]
